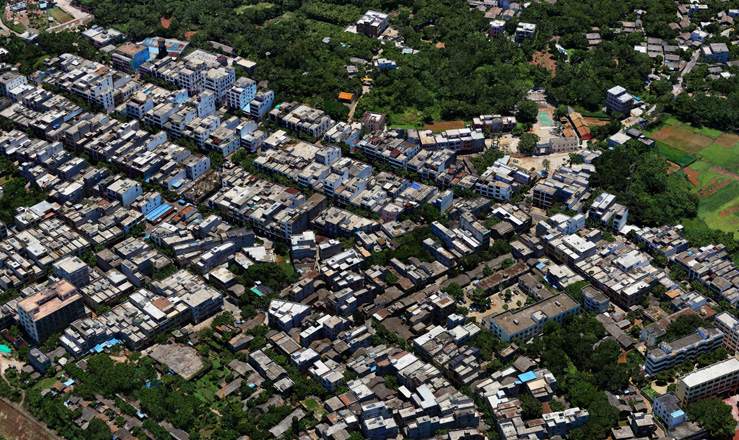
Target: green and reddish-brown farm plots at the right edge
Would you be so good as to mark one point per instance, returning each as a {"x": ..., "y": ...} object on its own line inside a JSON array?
[{"x": 709, "y": 160}]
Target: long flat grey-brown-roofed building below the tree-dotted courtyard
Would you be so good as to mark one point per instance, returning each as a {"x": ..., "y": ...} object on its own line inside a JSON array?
[{"x": 528, "y": 322}]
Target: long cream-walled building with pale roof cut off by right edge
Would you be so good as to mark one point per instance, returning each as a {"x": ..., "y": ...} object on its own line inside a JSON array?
[{"x": 715, "y": 380}]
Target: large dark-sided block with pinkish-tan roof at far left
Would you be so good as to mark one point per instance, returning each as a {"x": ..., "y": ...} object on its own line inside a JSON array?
[{"x": 51, "y": 310}]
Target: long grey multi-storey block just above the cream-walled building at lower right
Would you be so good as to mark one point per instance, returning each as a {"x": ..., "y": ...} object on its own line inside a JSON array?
[{"x": 670, "y": 354}]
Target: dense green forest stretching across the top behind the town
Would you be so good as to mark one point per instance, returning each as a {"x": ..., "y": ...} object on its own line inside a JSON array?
[{"x": 456, "y": 73}]
